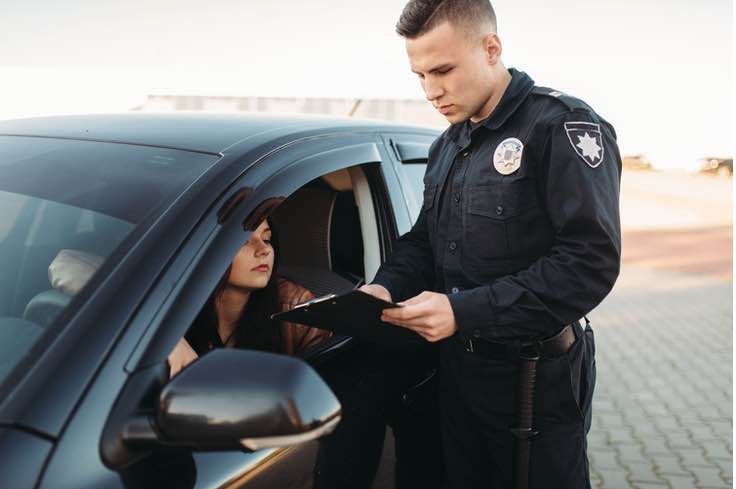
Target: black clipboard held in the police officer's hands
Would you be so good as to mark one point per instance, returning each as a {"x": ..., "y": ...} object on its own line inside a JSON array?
[{"x": 353, "y": 313}]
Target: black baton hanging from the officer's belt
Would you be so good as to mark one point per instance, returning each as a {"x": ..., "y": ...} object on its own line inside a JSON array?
[{"x": 528, "y": 358}]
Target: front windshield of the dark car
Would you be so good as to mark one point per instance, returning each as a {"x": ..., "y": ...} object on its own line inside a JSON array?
[{"x": 65, "y": 206}]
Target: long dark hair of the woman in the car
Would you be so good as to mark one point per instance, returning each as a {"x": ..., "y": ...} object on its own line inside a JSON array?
[{"x": 254, "y": 328}]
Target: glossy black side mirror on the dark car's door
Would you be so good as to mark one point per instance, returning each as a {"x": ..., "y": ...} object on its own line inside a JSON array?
[{"x": 233, "y": 398}]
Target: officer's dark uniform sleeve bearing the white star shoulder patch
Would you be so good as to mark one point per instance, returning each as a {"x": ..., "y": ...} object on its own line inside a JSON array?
[{"x": 581, "y": 197}]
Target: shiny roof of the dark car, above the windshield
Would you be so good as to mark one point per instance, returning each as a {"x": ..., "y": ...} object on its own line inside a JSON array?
[{"x": 193, "y": 131}]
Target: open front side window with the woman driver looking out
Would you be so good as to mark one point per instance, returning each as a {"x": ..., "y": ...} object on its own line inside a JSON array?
[{"x": 310, "y": 245}]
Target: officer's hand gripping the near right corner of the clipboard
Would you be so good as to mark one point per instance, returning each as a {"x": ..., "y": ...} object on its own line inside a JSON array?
[{"x": 429, "y": 314}]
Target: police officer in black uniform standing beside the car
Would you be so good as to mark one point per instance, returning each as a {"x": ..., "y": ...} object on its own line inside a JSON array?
[{"x": 518, "y": 238}]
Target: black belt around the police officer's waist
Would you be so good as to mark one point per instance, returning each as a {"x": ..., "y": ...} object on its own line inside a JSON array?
[{"x": 547, "y": 348}]
